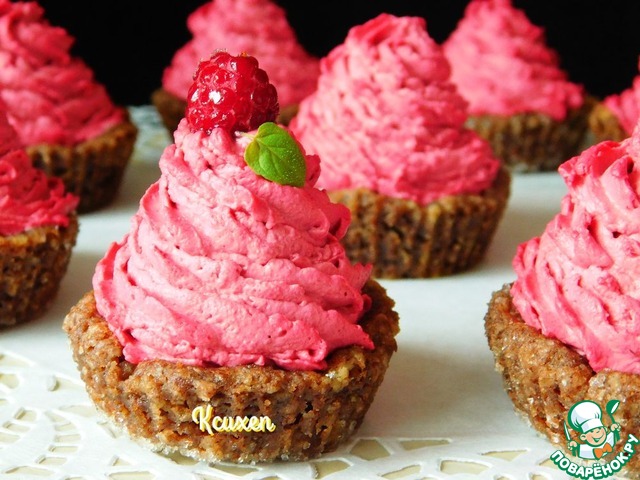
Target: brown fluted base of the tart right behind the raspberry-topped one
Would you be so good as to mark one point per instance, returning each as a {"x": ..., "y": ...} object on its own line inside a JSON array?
[{"x": 403, "y": 239}]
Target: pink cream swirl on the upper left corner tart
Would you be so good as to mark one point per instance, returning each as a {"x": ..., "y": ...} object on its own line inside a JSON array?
[{"x": 52, "y": 98}]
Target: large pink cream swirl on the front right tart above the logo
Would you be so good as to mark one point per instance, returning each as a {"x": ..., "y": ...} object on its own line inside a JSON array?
[{"x": 578, "y": 281}]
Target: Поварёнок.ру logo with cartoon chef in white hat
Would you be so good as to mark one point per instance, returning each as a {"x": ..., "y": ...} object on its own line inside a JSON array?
[{"x": 594, "y": 441}]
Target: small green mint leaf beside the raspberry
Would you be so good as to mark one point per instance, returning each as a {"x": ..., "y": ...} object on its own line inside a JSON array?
[{"x": 276, "y": 156}]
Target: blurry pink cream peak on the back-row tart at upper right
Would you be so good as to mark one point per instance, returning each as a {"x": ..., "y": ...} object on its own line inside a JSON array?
[{"x": 503, "y": 66}]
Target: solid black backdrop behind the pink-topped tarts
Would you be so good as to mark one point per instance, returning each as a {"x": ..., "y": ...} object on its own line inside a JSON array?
[{"x": 128, "y": 43}]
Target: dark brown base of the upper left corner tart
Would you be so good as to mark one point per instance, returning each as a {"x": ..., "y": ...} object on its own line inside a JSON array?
[{"x": 93, "y": 169}]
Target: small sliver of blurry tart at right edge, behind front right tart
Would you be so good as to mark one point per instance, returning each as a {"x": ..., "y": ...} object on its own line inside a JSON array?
[{"x": 616, "y": 115}]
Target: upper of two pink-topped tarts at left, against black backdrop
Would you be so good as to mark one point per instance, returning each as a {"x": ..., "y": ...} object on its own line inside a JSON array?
[{"x": 64, "y": 117}]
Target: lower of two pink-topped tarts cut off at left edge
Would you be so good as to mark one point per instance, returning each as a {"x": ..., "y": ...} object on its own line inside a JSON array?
[{"x": 38, "y": 230}]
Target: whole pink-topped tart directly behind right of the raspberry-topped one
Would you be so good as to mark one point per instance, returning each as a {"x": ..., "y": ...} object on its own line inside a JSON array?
[{"x": 426, "y": 194}]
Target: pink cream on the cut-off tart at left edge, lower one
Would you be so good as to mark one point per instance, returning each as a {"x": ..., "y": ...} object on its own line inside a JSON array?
[{"x": 28, "y": 198}]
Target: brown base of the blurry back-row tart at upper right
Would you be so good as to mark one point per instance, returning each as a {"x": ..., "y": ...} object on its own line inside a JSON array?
[{"x": 531, "y": 142}]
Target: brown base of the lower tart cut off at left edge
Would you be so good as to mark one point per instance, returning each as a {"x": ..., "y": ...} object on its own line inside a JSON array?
[{"x": 33, "y": 264}]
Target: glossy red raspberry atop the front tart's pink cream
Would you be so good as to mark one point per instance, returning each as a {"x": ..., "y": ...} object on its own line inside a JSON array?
[{"x": 230, "y": 92}]
